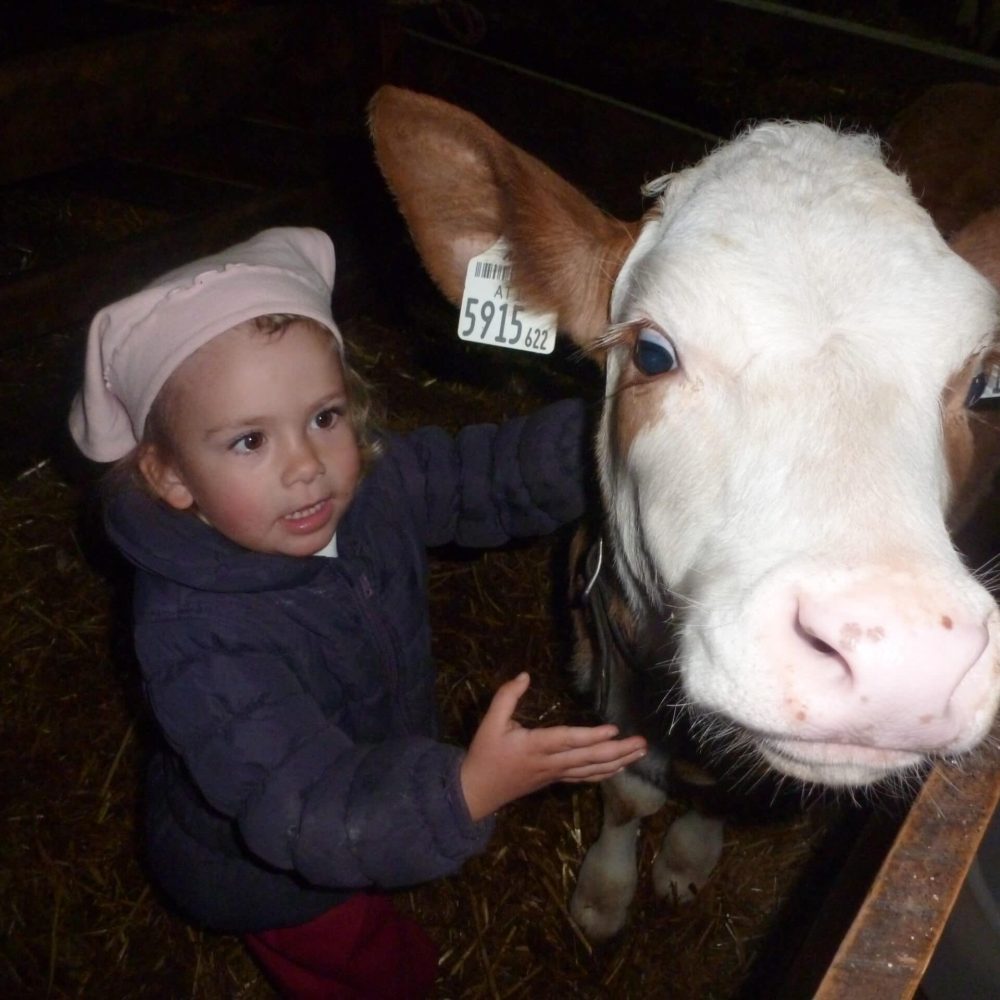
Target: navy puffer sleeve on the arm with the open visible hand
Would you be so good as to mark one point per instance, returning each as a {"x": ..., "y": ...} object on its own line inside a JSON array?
[{"x": 305, "y": 798}]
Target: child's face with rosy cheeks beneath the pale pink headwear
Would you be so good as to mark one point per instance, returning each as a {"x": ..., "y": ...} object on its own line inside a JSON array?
[{"x": 263, "y": 449}]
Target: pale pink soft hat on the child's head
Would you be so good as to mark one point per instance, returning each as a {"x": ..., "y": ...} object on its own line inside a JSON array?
[{"x": 136, "y": 343}]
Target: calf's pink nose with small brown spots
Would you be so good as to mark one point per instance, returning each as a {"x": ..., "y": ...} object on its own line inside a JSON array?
[{"x": 882, "y": 668}]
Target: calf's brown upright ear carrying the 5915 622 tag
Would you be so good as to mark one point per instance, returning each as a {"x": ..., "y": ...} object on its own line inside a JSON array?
[{"x": 460, "y": 186}]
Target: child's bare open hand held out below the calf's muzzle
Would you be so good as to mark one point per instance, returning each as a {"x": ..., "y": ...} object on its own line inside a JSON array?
[{"x": 506, "y": 761}]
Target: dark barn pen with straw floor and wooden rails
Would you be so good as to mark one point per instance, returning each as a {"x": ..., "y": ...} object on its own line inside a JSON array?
[{"x": 138, "y": 135}]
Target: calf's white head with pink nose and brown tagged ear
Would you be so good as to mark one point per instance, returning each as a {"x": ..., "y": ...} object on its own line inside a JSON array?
[{"x": 789, "y": 348}]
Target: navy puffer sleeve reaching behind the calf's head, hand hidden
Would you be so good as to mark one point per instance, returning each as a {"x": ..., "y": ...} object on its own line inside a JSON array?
[{"x": 491, "y": 483}]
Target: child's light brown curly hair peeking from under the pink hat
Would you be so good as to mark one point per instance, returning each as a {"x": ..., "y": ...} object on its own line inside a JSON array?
[{"x": 364, "y": 415}]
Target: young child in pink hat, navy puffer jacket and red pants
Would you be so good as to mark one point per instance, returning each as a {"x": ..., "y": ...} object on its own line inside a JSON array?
[{"x": 281, "y": 616}]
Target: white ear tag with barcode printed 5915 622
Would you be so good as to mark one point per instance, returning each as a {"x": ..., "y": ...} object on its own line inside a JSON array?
[{"x": 493, "y": 314}]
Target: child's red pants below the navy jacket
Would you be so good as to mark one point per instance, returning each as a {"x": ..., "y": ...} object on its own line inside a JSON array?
[{"x": 362, "y": 950}]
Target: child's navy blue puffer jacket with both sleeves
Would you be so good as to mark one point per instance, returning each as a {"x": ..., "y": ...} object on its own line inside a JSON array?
[{"x": 295, "y": 696}]
